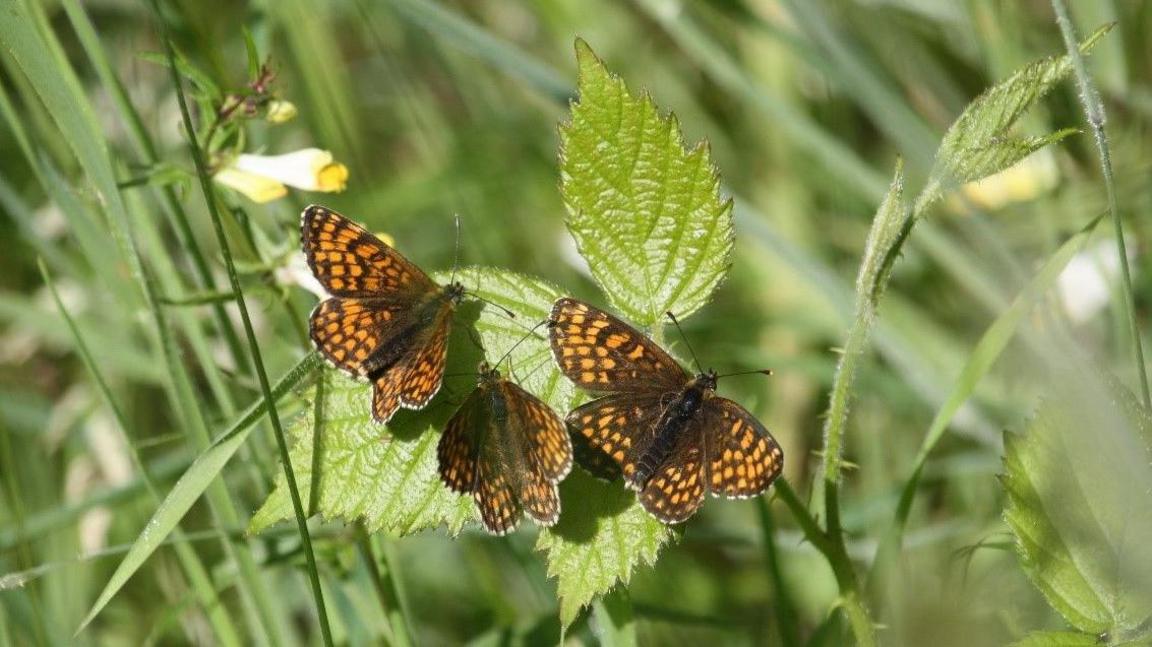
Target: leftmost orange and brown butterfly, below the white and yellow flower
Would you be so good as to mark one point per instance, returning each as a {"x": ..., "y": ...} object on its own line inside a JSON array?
[{"x": 386, "y": 322}]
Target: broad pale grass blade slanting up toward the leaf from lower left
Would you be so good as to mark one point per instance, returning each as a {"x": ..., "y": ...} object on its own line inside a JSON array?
[{"x": 193, "y": 484}]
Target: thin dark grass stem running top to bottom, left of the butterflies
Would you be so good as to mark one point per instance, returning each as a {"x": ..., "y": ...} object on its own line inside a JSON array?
[{"x": 251, "y": 333}]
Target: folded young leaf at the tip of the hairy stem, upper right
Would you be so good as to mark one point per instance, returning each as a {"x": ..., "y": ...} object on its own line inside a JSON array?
[{"x": 980, "y": 144}]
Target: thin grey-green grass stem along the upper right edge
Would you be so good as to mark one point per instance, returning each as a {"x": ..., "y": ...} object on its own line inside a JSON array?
[{"x": 1094, "y": 112}]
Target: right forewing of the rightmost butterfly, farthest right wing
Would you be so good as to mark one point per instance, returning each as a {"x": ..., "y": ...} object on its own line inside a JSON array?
[{"x": 742, "y": 458}]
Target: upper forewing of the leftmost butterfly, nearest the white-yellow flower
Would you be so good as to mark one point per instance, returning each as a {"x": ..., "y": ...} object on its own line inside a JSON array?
[{"x": 350, "y": 262}]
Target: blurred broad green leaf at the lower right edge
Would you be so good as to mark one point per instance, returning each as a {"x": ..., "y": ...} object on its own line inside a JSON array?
[{"x": 1079, "y": 505}]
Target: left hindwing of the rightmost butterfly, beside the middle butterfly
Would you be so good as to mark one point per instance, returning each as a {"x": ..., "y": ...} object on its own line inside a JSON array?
[{"x": 618, "y": 430}]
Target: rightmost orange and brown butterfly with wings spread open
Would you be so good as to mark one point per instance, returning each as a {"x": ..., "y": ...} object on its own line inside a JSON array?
[{"x": 669, "y": 433}]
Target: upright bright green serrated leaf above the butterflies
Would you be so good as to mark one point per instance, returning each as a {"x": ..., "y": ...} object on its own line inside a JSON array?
[{"x": 647, "y": 215}]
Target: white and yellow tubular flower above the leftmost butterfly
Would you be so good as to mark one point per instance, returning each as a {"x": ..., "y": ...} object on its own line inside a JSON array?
[{"x": 262, "y": 179}]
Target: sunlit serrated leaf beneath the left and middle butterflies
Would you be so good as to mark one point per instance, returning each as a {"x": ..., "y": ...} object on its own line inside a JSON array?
[{"x": 388, "y": 476}]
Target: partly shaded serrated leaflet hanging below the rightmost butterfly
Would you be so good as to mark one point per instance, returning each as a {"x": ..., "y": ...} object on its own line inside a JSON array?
[{"x": 602, "y": 537}]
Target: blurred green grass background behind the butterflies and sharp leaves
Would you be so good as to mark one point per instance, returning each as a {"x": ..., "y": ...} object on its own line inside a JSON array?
[{"x": 443, "y": 109}]
